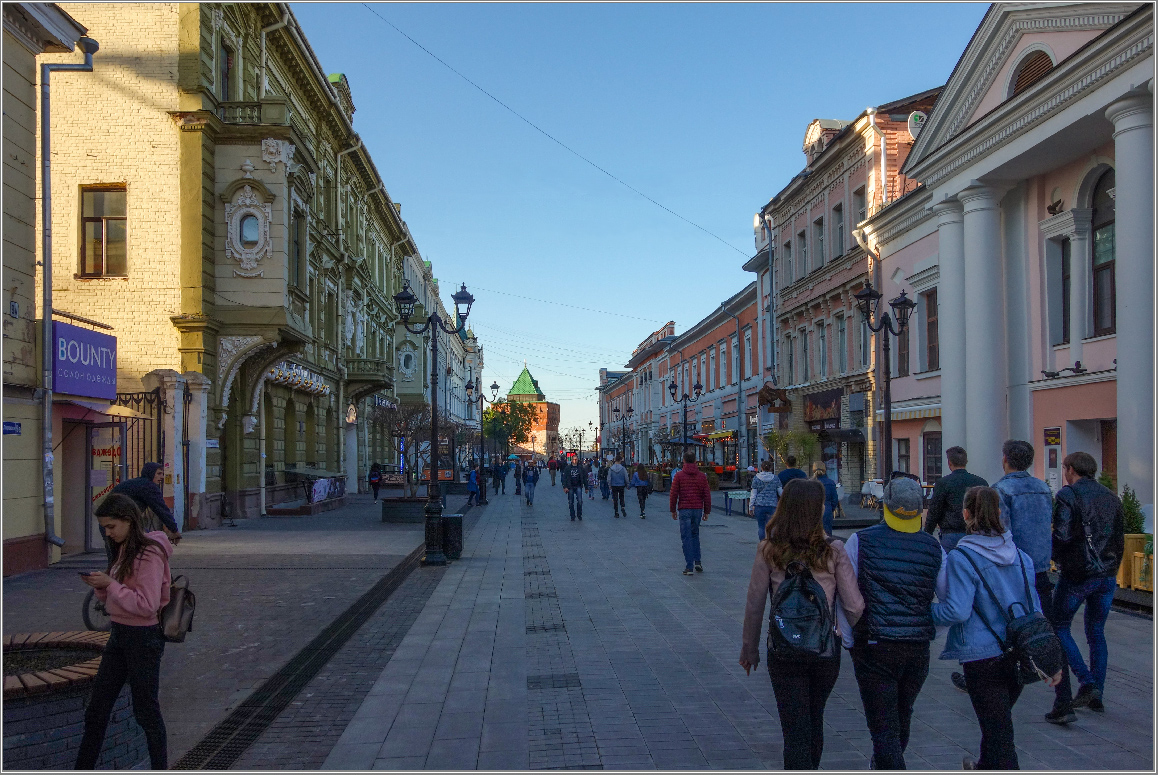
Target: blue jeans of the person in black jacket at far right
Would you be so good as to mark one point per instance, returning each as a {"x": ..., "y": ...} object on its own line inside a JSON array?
[{"x": 1097, "y": 595}]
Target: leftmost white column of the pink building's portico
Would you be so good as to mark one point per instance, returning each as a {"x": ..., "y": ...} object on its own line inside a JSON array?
[{"x": 951, "y": 320}]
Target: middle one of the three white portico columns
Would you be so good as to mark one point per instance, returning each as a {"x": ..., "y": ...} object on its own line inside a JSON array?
[{"x": 987, "y": 414}]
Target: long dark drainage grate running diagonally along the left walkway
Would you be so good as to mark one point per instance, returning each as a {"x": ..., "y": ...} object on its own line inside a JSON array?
[{"x": 226, "y": 742}]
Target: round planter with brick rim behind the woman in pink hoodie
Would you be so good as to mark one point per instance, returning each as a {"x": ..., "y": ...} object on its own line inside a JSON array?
[{"x": 45, "y": 708}]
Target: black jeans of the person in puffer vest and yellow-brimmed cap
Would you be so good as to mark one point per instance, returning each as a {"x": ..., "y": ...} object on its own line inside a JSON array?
[{"x": 890, "y": 675}]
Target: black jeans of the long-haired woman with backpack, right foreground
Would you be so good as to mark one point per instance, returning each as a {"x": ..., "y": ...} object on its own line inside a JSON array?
[{"x": 802, "y": 691}]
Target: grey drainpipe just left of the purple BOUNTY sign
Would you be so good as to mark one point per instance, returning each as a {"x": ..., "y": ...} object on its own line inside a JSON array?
[{"x": 90, "y": 47}]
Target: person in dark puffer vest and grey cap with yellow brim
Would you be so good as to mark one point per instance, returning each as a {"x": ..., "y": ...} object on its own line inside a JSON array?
[{"x": 898, "y": 566}]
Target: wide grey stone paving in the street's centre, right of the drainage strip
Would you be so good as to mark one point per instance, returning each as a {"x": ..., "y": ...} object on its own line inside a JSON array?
[{"x": 580, "y": 645}]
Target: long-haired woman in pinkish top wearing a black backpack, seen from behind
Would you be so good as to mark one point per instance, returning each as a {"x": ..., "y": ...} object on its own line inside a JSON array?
[{"x": 805, "y": 574}]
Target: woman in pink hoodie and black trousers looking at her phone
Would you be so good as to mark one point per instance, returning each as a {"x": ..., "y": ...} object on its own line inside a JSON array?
[{"x": 134, "y": 591}]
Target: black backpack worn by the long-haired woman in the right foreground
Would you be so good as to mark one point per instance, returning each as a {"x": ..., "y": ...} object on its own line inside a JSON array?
[{"x": 801, "y": 623}]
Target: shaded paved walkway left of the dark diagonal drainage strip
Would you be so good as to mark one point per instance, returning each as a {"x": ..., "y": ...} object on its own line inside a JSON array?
[{"x": 265, "y": 590}]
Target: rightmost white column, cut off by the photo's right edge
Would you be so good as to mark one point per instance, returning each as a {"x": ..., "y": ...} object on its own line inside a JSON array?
[{"x": 1134, "y": 254}]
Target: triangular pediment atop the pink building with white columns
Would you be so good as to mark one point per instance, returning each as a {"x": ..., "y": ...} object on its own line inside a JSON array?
[{"x": 1009, "y": 33}]
